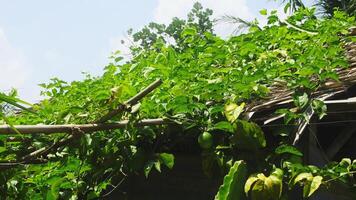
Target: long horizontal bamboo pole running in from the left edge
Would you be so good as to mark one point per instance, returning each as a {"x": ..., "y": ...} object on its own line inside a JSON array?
[{"x": 69, "y": 128}]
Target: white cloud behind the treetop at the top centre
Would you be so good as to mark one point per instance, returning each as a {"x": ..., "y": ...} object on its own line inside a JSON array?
[{"x": 166, "y": 10}]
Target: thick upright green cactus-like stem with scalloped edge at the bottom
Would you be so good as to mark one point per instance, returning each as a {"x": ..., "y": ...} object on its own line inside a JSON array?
[{"x": 233, "y": 185}]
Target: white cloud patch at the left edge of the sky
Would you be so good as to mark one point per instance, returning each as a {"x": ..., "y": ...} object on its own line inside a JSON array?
[{"x": 13, "y": 72}]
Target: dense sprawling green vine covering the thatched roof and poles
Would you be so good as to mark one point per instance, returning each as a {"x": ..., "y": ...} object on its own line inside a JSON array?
[{"x": 207, "y": 82}]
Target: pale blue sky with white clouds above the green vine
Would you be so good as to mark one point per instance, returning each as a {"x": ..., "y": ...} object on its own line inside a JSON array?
[{"x": 41, "y": 39}]
